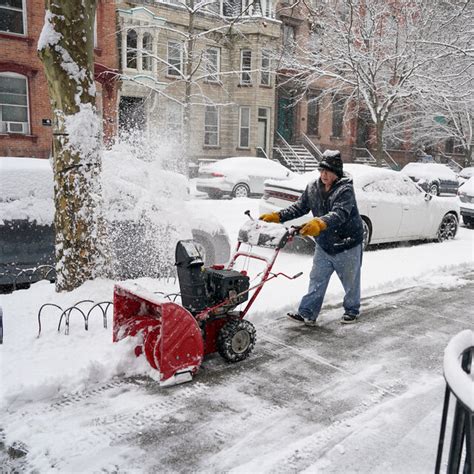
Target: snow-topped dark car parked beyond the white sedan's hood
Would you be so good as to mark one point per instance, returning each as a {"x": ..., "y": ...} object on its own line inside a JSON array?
[{"x": 434, "y": 178}]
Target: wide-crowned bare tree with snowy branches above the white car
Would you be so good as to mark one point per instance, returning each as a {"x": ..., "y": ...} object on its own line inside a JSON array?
[{"x": 376, "y": 53}]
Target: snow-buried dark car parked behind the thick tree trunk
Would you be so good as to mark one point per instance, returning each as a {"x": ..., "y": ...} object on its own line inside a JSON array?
[{"x": 145, "y": 211}]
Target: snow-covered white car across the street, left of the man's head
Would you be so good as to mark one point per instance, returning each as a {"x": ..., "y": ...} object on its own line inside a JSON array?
[{"x": 241, "y": 176}]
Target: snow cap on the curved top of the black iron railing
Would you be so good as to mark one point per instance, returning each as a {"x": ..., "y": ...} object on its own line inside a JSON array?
[{"x": 460, "y": 382}]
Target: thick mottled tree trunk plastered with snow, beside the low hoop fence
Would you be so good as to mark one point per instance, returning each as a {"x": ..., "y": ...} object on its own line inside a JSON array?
[{"x": 66, "y": 49}]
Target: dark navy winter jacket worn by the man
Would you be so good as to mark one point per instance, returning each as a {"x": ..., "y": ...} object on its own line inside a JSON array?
[{"x": 338, "y": 209}]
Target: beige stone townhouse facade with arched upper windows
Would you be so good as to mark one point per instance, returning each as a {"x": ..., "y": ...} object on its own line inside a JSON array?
[{"x": 226, "y": 107}]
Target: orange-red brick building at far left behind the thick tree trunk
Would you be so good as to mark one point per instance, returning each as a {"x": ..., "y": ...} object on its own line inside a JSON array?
[{"x": 25, "y": 112}]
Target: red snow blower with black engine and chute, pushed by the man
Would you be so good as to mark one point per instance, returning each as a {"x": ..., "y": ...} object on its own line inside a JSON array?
[{"x": 175, "y": 338}]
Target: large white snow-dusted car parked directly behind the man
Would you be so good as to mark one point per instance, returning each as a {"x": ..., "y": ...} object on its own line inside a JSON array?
[{"x": 393, "y": 208}]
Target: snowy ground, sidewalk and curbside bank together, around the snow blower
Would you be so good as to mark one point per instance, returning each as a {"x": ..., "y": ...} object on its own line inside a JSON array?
[{"x": 363, "y": 398}]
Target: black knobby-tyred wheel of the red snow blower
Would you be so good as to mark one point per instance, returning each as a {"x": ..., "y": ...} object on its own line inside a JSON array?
[{"x": 236, "y": 340}]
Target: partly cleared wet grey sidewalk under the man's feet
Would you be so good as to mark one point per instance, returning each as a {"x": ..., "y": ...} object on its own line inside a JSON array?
[{"x": 364, "y": 398}]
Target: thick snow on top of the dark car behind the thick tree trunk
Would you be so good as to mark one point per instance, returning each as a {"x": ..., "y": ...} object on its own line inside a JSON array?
[{"x": 131, "y": 186}]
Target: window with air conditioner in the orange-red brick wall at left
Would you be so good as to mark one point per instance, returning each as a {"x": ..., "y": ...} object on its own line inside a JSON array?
[{"x": 13, "y": 103}]
